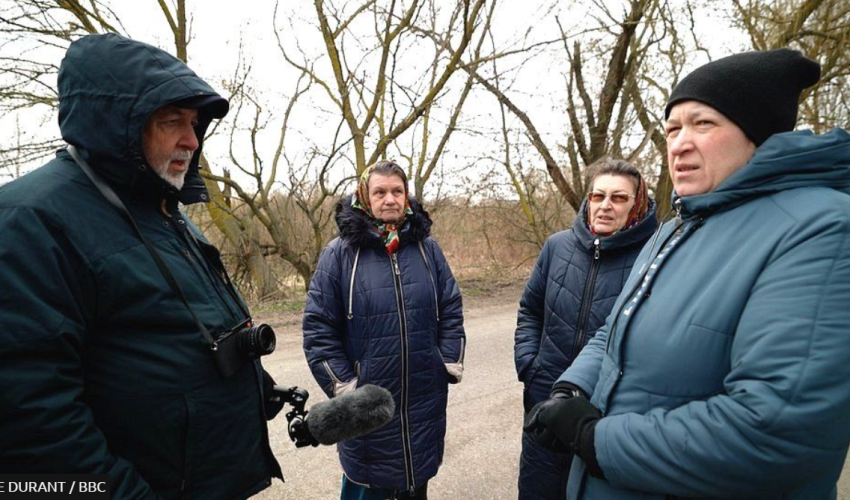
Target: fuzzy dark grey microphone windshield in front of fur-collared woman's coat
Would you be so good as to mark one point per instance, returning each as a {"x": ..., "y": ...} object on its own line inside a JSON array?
[{"x": 351, "y": 415}]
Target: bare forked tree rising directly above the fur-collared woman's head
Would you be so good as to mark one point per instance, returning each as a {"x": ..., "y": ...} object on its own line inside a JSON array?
[{"x": 376, "y": 103}]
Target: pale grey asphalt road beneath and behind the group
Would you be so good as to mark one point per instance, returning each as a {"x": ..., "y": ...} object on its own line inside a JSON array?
[{"x": 484, "y": 420}]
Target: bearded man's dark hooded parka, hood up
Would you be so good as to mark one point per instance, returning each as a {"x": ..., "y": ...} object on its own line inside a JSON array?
[{"x": 102, "y": 368}]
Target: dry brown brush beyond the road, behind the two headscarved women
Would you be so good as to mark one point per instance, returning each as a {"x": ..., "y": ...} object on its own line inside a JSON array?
[{"x": 489, "y": 246}]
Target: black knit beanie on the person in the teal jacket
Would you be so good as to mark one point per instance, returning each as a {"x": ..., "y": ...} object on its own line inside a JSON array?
[{"x": 759, "y": 91}]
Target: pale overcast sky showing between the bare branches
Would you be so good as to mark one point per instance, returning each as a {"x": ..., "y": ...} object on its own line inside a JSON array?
[{"x": 220, "y": 30}]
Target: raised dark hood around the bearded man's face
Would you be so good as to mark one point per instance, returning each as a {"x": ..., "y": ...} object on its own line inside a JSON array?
[{"x": 108, "y": 88}]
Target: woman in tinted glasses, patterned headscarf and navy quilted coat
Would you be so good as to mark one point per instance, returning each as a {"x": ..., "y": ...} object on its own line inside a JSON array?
[{"x": 578, "y": 276}]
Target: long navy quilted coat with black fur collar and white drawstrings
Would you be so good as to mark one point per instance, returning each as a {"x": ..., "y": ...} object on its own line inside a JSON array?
[{"x": 394, "y": 322}]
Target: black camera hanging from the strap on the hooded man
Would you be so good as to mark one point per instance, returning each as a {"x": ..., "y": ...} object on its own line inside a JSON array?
[{"x": 240, "y": 344}]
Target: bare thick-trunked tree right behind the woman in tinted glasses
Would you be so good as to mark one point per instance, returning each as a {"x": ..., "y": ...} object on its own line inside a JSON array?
[{"x": 602, "y": 125}]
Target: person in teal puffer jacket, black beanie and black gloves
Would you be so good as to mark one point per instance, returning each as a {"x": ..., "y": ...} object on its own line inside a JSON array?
[{"x": 722, "y": 371}]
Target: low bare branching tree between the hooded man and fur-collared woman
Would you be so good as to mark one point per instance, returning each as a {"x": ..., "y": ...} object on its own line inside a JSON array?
[{"x": 270, "y": 201}]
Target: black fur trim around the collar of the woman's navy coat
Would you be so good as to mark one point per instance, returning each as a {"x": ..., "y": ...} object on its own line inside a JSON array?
[{"x": 357, "y": 229}]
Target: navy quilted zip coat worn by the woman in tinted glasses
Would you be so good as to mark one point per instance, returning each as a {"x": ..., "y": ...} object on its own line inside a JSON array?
[{"x": 571, "y": 290}]
